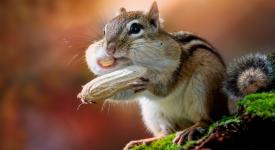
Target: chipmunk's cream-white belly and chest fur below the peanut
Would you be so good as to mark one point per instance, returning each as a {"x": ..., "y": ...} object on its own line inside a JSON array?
[{"x": 178, "y": 110}]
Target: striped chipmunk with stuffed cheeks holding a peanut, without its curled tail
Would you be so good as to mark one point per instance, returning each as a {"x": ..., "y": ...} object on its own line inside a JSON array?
[{"x": 182, "y": 91}]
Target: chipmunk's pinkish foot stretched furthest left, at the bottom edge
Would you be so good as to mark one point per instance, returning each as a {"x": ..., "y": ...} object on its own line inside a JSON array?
[{"x": 147, "y": 141}]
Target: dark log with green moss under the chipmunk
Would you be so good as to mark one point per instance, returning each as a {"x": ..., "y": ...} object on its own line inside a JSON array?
[{"x": 252, "y": 128}]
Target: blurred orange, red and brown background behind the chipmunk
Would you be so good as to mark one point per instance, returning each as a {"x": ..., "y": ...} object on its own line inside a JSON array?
[{"x": 42, "y": 67}]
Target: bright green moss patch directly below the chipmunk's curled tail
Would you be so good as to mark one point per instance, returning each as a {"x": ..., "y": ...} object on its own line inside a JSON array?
[{"x": 261, "y": 105}]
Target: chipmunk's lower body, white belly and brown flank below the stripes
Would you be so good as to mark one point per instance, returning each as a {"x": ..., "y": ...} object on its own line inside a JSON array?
[{"x": 196, "y": 96}]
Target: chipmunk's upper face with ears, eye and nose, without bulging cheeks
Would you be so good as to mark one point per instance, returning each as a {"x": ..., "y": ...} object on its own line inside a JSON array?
[{"x": 130, "y": 29}]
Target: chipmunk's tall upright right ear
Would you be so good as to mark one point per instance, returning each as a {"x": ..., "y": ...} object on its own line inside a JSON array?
[{"x": 153, "y": 15}]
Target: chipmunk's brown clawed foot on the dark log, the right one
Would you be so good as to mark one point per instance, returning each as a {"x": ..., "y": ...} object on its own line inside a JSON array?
[{"x": 189, "y": 133}]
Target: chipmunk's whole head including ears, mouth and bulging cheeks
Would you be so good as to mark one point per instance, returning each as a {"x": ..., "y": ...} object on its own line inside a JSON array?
[{"x": 133, "y": 37}]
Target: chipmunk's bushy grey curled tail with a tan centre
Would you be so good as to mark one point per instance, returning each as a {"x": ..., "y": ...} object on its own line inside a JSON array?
[{"x": 249, "y": 74}]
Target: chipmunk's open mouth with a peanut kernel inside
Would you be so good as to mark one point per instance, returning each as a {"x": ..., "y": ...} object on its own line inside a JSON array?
[{"x": 111, "y": 62}]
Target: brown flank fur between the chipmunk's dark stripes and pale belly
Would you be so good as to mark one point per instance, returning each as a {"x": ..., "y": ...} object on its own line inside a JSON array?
[{"x": 213, "y": 70}]
